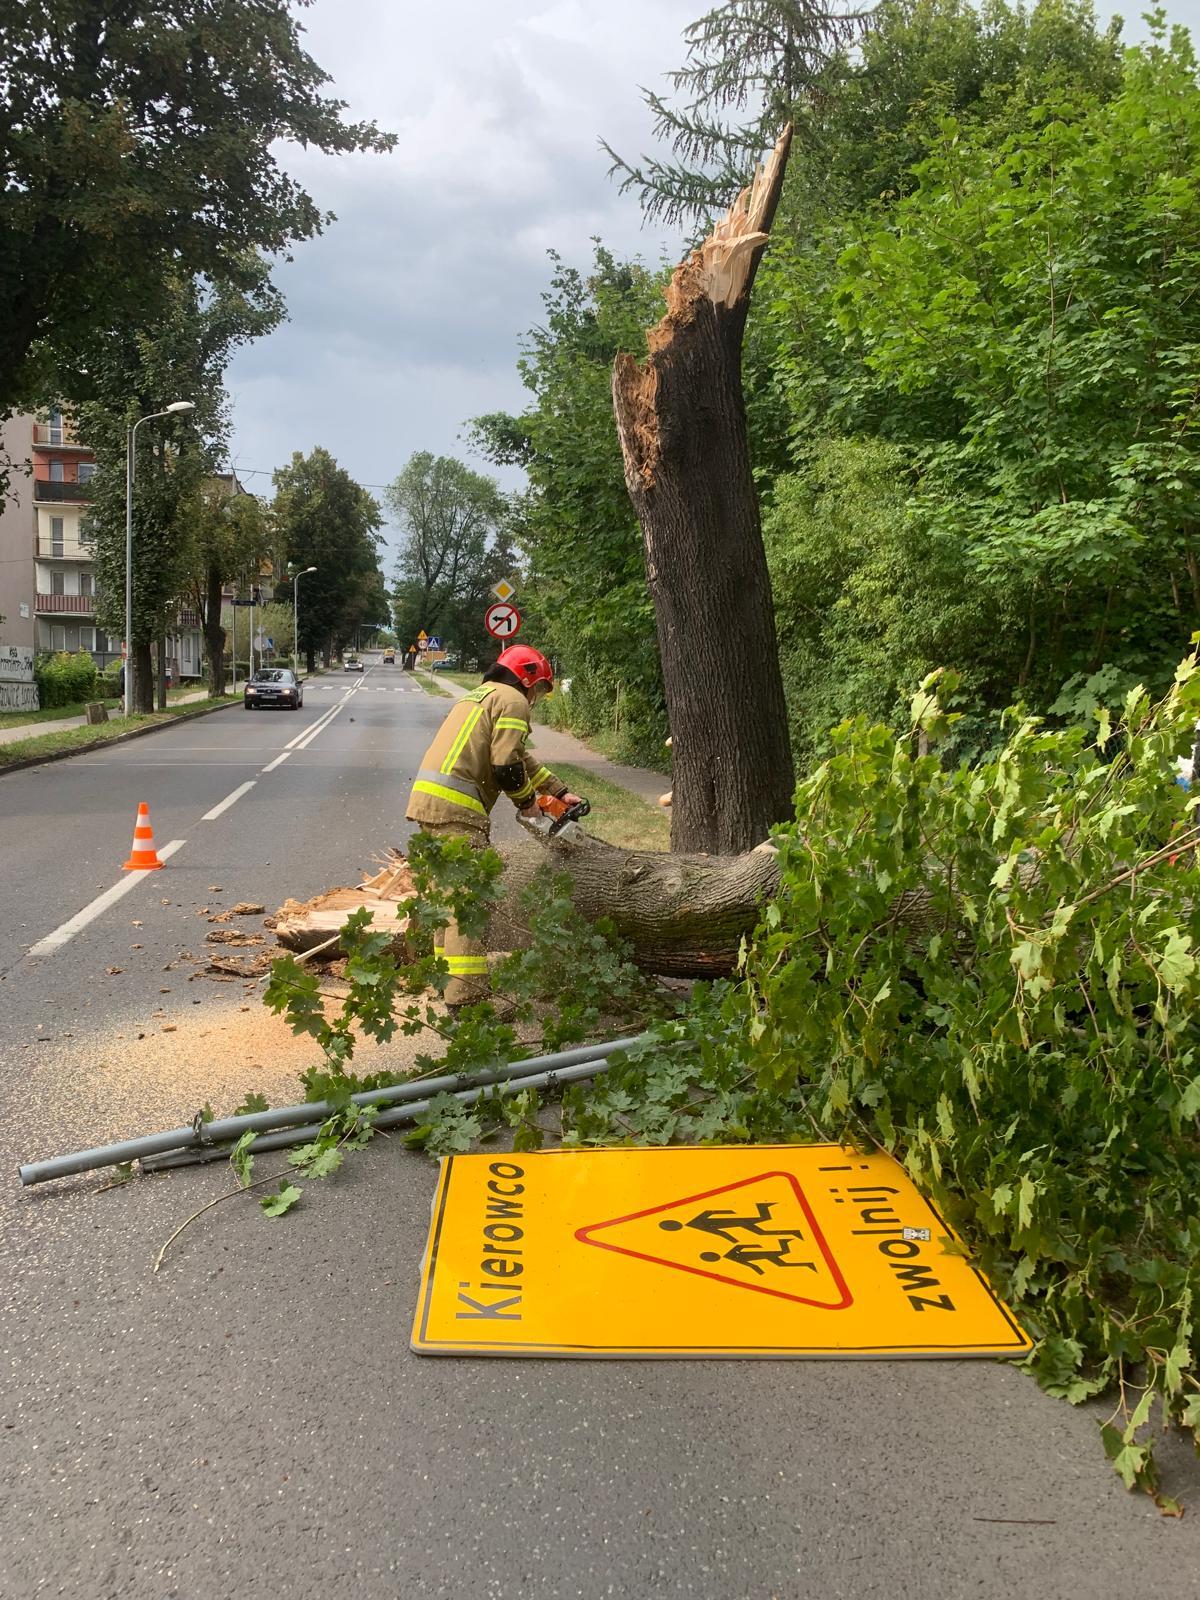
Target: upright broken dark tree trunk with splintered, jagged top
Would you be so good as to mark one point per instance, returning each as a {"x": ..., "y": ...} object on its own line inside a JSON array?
[{"x": 682, "y": 423}]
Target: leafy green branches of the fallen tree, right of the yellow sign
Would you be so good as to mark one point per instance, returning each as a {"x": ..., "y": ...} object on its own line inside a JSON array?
[{"x": 994, "y": 974}]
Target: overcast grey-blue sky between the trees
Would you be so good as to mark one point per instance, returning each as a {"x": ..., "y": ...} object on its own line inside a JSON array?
[{"x": 406, "y": 316}]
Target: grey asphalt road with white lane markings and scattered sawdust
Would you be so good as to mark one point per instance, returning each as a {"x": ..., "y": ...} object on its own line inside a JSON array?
[{"x": 250, "y": 1422}]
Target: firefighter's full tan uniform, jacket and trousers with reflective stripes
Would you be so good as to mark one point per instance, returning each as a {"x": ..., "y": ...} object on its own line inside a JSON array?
[{"x": 458, "y": 785}]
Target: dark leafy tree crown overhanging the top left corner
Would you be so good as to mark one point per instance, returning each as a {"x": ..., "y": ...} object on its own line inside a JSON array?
[{"x": 140, "y": 143}]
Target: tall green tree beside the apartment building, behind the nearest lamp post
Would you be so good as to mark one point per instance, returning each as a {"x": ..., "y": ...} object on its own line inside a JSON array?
[{"x": 180, "y": 356}]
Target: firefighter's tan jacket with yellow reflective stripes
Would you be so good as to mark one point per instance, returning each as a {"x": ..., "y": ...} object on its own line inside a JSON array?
[{"x": 457, "y": 783}]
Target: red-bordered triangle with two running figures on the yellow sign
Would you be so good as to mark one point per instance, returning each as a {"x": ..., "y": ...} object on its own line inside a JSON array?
[{"x": 759, "y": 1234}]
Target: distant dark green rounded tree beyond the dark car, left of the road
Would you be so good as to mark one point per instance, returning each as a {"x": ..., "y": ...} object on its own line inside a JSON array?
[{"x": 327, "y": 521}]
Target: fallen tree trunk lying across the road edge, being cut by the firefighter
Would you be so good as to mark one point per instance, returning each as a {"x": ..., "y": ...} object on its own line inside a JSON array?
[{"x": 681, "y": 916}]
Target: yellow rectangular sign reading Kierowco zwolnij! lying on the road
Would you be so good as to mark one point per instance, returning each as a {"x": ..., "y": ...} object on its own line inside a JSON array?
[{"x": 770, "y": 1250}]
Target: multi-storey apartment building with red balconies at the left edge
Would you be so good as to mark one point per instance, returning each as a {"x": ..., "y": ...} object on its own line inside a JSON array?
[{"x": 47, "y": 574}]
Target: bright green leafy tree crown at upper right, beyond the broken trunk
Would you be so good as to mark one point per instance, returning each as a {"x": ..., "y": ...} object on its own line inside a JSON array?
[{"x": 1028, "y": 282}]
